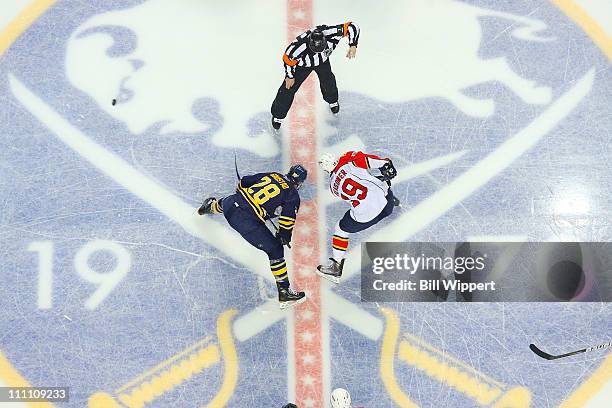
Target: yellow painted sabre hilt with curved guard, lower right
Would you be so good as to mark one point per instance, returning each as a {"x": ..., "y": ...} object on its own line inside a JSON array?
[{"x": 443, "y": 367}]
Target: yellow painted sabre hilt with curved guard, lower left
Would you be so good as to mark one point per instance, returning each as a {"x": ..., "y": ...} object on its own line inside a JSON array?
[{"x": 179, "y": 369}]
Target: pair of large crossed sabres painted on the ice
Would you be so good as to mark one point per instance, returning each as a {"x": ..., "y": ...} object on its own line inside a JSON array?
[{"x": 340, "y": 309}]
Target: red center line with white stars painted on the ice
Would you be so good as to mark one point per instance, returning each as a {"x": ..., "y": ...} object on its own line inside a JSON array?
[{"x": 307, "y": 336}]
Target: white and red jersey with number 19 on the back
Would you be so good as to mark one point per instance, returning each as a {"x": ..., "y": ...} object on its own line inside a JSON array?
[{"x": 351, "y": 181}]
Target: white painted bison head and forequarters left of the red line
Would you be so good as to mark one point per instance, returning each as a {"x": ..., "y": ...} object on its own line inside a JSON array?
[{"x": 159, "y": 81}]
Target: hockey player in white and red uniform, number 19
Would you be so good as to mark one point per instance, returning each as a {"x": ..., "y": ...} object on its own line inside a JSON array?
[{"x": 364, "y": 182}]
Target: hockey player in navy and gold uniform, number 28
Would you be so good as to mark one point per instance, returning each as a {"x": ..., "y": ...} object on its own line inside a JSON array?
[{"x": 260, "y": 197}]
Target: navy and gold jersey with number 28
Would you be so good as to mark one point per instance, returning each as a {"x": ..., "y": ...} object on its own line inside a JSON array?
[{"x": 265, "y": 192}]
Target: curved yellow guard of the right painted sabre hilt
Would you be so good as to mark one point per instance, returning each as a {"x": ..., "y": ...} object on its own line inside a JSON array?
[{"x": 387, "y": 357}]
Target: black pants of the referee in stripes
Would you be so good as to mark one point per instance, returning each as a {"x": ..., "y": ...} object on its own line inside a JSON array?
[{"x": 284, "y": 96}]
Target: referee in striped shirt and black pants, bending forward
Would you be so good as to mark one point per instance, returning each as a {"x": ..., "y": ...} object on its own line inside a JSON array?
[{"x": 310, "y": 51}]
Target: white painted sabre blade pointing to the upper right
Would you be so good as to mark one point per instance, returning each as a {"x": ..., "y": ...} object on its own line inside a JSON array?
[{"x": 436, "y": 205}]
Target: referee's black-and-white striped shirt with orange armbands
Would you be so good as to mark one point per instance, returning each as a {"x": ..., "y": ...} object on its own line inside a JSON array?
[{"x": 298, "y": 54}]
